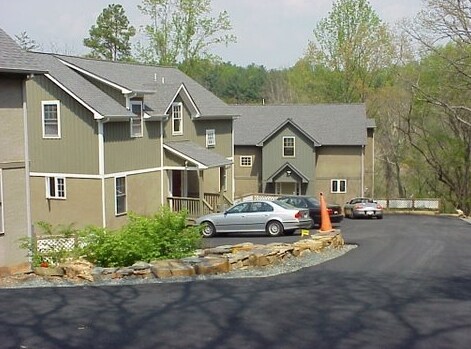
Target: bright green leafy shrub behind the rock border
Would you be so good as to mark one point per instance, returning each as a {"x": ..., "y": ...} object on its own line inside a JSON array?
[{"x": 162, "y": 236}]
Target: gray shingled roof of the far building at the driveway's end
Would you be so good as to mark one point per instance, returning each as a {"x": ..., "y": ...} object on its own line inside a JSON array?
[{"x": 329, "y": 124}]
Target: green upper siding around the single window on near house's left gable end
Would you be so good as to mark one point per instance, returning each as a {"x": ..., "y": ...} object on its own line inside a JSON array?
[{"x": 77, "y": 148}]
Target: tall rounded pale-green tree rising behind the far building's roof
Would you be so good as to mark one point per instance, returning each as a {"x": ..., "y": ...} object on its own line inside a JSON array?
[{"x": 354, "y": 44}]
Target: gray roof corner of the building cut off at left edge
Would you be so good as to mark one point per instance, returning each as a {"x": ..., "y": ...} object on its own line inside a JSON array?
[{"x": 15, "y": 60}]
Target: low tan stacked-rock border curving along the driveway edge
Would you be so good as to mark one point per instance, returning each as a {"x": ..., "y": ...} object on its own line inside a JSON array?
[{"x": 210, "y": 261}]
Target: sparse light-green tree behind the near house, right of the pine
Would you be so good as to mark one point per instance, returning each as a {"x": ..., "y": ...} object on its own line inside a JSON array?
[{"x": 182, "y": 31}]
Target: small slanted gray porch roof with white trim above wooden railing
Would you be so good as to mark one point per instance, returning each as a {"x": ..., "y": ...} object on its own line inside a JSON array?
[{"x": 198, "y": 155}]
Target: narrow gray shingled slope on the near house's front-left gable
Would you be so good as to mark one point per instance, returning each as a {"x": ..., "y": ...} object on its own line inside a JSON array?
[{"x": 91, "y": 95}]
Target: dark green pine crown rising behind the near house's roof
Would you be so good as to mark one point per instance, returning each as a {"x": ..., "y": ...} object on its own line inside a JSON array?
[{"x": 110, "y": 37}]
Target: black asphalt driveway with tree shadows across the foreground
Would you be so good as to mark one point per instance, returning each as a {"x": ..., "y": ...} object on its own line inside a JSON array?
[{"x": 408, "y": 285}]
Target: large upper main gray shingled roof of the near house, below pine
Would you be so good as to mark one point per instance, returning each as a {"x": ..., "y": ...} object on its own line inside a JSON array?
[{"x": 161, "y": 80}]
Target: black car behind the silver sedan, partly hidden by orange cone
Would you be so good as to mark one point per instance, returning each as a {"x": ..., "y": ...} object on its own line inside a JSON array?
[{"x": 314, "y": 206}]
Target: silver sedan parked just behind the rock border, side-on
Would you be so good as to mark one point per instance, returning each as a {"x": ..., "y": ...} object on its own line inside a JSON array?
[{"x": 274, "y": 218}]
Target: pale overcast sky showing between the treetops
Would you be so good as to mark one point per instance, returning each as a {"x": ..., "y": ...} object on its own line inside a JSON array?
[{"x": 272, "y": 33}]
